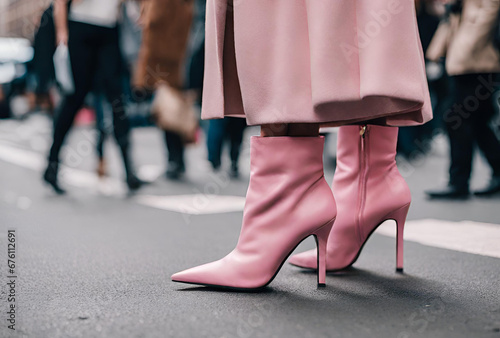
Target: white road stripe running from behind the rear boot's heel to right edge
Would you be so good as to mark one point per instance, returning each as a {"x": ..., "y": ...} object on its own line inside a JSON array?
[{"x": 466, "y": 236}]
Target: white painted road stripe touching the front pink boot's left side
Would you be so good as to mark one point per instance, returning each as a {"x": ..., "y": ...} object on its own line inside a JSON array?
[{"x": 198, "y": 204}]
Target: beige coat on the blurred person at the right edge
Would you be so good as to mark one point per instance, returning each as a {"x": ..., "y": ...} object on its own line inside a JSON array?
[{"x": 467, "y": 39}]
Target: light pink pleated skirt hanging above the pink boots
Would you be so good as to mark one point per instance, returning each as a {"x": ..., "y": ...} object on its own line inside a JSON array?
[{"x": 315, "y": 61}]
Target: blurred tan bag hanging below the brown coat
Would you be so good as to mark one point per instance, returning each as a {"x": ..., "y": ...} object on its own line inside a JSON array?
[{"x": 173, "y": 110}]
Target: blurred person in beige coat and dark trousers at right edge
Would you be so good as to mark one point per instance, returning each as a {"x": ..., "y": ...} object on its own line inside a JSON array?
[{"x": 466, "y": 39}]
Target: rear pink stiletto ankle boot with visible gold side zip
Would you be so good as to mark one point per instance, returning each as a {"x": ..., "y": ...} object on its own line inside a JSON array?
[{"x": 369, "y": 190}]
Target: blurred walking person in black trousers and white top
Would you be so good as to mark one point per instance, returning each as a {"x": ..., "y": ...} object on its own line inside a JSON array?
[{"x": 89, "y": 29}]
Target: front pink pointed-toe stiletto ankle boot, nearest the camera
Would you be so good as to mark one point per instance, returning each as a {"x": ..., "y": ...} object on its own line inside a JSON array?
[{"x": 288, "y": 200}]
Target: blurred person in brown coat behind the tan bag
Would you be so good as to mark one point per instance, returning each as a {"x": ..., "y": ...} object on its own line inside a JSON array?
[{"x": 166, "y": 26}]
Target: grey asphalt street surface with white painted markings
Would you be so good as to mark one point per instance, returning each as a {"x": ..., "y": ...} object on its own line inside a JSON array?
[{"x": 97, "y": 262}]
